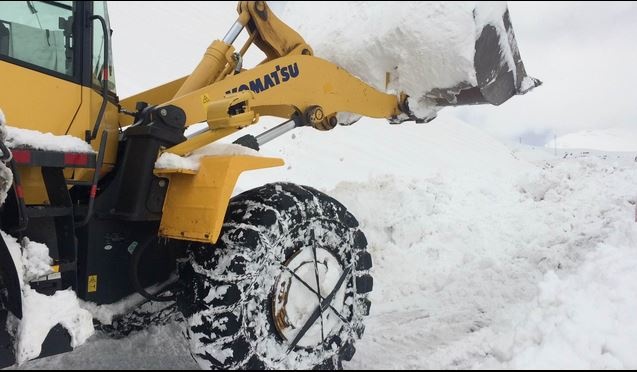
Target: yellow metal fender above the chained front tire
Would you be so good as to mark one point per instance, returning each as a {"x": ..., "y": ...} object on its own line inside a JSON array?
[{"x": 196, "y": 204}]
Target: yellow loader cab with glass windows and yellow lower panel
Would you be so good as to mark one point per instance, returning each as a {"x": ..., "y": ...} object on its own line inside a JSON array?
[{"x": 52, "y": 58}]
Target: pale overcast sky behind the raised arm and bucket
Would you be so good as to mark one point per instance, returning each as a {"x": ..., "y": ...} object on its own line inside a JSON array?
[{"x": 584, "y": 52}]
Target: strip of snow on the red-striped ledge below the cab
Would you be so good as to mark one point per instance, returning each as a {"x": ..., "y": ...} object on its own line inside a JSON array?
[{"x": 33, "y": 139}]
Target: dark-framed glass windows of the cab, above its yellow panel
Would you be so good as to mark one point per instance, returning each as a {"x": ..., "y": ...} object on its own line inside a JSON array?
[{"x": 49, "y": 37}]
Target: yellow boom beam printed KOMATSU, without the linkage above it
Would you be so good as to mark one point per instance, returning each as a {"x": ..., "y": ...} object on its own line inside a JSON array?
[{"x": 284, "y": 87}]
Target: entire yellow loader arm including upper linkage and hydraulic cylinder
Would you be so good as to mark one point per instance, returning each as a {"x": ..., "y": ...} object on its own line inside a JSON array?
[{"x": 289, "y": 82}]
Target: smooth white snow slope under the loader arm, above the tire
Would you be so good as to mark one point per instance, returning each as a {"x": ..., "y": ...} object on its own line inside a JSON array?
[{"x": 372, "y": 148}]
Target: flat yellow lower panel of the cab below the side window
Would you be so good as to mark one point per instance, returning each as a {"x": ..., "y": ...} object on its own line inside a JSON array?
[{"x": 34, "y": 100}]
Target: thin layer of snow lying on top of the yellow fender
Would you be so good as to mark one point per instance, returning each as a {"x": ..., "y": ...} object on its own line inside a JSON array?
[{"x": 192, "y": 161}]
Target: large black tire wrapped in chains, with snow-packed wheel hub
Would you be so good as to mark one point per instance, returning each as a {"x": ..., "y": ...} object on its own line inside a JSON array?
[{"x": 250, "y": 301}]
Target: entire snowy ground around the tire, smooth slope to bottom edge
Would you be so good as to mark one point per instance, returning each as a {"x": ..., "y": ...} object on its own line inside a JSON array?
[{"x": 484, "y": 256}]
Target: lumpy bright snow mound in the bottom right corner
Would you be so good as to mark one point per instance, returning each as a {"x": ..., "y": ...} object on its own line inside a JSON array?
[{"x": 583, "y": 321}]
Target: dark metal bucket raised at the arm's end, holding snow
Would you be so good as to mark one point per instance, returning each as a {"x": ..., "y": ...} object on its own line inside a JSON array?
[{"x": 499, "y": 70}]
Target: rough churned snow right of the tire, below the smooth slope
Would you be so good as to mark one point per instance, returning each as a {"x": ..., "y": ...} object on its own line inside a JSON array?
[{"x": 457, "y": 259}]
